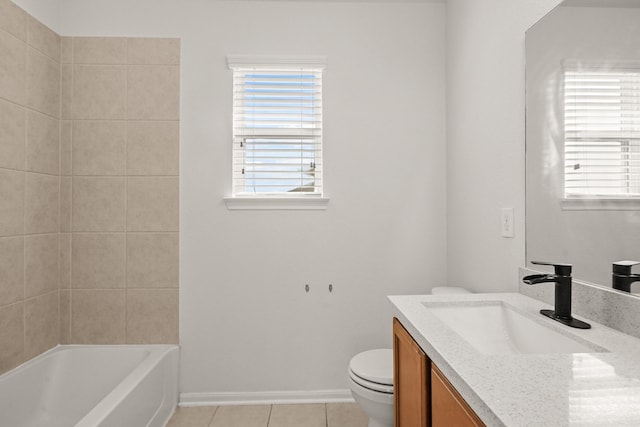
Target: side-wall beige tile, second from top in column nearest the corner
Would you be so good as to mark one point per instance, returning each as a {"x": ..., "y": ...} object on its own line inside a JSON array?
[{"x": 43, "y": 82}]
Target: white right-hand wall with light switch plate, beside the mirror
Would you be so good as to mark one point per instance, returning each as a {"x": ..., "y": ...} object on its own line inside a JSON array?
[{"x": 485, "y": 138}]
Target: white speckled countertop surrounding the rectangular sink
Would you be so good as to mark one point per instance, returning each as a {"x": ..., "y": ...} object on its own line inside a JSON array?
[{"x": 580, "y": 389}]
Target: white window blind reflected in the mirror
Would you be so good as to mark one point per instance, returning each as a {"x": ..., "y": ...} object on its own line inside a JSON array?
[{"x": 602, "y": 133}]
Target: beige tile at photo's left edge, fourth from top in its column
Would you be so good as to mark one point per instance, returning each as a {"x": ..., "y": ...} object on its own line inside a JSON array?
[{"x": 11, "y": 202}]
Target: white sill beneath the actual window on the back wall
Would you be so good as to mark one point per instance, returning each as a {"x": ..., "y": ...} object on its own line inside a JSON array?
[{"x": 277, "y": 203}]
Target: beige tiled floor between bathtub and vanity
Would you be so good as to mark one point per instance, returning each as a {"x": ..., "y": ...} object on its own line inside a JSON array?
[{"x": 307, "y": 415}]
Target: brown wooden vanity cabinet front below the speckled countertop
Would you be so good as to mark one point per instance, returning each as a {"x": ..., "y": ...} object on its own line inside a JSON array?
[{"x": 423, "y": 397}]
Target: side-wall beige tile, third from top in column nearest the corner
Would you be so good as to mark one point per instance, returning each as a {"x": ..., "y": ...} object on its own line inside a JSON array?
[{"x": 43, "y": 143}]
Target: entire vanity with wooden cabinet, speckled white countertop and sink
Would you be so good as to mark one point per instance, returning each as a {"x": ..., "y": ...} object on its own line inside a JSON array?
[{"x": 492, "y": 359}]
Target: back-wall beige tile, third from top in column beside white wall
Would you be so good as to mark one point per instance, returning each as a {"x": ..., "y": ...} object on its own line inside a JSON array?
[{"x": 153, "y": 148}]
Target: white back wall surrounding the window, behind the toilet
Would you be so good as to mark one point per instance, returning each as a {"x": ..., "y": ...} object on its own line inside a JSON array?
[{"x": 246, "y": 323}]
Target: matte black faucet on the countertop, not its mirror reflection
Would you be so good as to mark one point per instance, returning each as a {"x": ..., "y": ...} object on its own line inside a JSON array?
[{"x": 562, "y": 307}]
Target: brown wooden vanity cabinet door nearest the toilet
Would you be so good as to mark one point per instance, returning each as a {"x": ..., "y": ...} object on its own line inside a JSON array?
[{"x": 410, "y": 379}]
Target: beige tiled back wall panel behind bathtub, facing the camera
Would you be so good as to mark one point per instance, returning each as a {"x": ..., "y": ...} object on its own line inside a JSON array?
[{"x": 119, "y": 190}]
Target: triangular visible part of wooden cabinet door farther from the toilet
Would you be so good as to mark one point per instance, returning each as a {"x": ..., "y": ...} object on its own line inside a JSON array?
[{"x": 448, "y": 408}]
